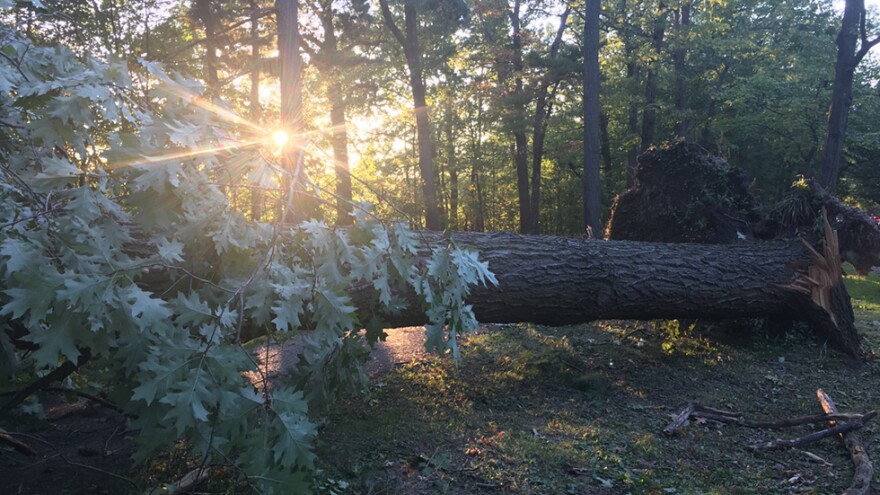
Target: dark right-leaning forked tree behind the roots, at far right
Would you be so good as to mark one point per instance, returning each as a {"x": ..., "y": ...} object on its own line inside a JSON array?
[{"x": 853, "y": 34}]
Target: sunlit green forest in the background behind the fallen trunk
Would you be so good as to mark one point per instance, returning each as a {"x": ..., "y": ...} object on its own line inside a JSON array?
[{"x": 502, "y": 85}]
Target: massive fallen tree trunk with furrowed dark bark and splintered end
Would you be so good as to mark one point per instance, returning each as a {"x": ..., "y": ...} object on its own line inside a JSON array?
[{"x": 558, "y": 281}]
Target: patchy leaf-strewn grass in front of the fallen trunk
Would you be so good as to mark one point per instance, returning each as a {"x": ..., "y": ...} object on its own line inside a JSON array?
[{"x": 581, "y": 409}]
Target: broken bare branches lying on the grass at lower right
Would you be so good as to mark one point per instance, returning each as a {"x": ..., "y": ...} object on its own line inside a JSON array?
[{"x": 842, "y": 425}]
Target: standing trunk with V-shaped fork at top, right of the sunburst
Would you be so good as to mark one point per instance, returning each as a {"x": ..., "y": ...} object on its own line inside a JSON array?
[{"x": 413, "y": 54}]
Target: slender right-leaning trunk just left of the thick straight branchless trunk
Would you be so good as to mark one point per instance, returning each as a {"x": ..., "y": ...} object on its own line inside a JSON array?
[{"x": 543, "y": 110}]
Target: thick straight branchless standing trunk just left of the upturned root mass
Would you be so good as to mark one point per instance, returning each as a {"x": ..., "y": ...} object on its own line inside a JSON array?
[{"x": 592, "y": 223}]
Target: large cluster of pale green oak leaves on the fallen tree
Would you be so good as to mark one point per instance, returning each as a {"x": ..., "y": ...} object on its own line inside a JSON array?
[{"x": 117, "y": 242}]
